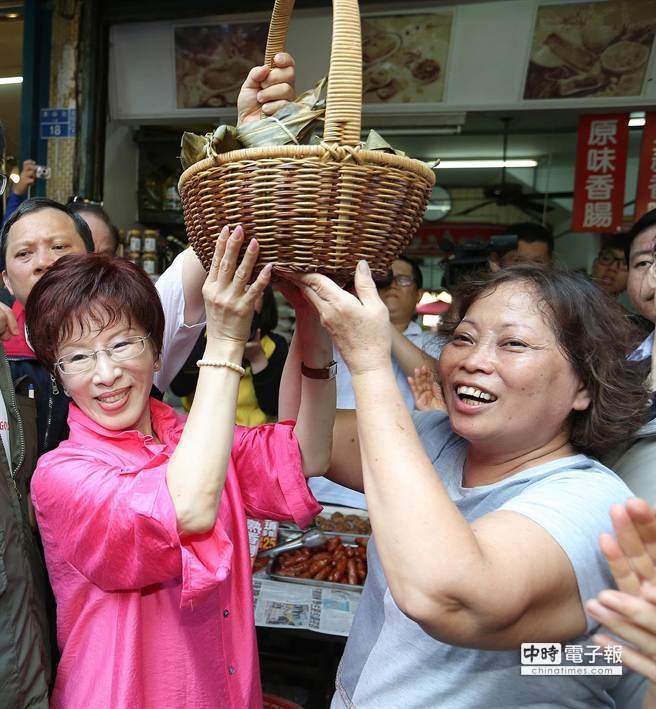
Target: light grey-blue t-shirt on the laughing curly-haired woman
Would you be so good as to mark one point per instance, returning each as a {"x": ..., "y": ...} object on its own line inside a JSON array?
[{"x": 391, "y": 663}]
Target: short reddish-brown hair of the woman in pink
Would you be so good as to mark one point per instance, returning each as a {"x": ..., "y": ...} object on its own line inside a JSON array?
[{"x": 99, "y": 287}]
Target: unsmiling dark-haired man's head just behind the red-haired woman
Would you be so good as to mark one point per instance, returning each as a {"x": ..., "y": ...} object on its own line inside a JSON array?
[{"x": 34, "y": 243}]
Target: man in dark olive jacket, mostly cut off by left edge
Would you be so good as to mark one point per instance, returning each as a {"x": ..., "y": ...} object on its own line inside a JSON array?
[{"x": 24, "y": 639}]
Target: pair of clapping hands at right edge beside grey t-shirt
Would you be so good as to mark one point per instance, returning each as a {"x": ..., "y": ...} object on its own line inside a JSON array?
[{"x": 630, "y": 612}]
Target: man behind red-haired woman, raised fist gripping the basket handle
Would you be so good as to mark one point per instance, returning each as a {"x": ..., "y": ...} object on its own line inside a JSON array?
[{"x": 40, "y": 231}]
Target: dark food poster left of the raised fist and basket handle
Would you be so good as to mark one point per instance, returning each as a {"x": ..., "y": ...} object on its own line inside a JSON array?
[{"x": 211, "y": 62}]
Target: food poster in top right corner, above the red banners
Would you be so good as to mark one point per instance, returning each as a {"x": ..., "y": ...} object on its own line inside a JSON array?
[{"x": 591, "y": 49}]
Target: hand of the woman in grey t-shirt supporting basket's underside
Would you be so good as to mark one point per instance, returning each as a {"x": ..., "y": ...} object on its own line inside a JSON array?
[{"x": 359, "y": 326}]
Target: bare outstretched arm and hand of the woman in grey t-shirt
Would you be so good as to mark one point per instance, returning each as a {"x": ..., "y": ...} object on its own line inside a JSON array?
[{"x": 412, "y": 514}]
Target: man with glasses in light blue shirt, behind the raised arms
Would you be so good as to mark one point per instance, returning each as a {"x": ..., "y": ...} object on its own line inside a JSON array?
[{"x": 411, "y": 348}]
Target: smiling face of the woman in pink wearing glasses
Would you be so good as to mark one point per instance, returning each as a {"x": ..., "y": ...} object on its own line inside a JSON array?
[{"x": 113, "y": 394}]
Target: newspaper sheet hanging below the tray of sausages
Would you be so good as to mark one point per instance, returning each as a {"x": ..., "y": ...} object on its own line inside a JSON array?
[{"x": 288, "y": 605}]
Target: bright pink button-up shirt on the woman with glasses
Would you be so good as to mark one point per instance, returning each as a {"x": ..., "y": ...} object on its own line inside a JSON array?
[{"x": 144, "y": 618}]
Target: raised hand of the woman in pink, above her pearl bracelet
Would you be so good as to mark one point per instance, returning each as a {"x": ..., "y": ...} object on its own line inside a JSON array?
[{"x": 229, "y": 299}]
